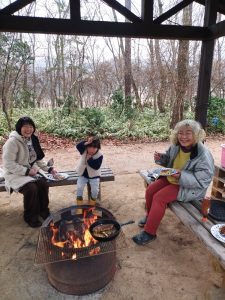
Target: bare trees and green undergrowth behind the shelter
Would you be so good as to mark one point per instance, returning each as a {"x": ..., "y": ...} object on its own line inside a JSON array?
[{"x": 114, "y": 87}]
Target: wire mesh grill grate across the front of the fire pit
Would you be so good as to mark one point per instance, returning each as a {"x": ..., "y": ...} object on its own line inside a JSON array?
[{"x": 48, "y": 253}]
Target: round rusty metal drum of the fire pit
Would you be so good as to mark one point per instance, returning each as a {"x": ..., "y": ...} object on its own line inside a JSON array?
[{"x": 85, "y": 275}]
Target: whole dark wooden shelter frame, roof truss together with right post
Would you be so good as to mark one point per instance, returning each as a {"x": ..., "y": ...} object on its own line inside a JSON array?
[{"x": 144, "y": 26}]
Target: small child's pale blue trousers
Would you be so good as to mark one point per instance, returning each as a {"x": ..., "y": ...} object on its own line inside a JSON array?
[{"x": 94, "y": 183}]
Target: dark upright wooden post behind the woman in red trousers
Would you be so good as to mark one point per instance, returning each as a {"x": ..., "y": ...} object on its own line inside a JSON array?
[{"x": 205, "y": 66}]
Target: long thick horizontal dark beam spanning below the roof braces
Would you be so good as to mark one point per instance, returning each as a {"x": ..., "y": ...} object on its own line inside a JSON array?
[{"x": 100, "y": 28}]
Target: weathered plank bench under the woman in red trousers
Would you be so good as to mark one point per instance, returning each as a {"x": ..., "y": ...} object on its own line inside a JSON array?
[{"x": 190, "y": 215}]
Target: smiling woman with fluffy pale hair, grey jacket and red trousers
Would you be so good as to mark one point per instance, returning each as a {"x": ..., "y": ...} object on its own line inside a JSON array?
[{"x": 194, "y": 167}]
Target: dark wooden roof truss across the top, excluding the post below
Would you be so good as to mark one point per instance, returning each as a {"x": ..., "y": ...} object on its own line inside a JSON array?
[{"x": 141, "y": 27}]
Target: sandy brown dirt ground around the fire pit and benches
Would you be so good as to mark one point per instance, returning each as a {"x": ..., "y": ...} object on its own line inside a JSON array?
[{"x": 175, "y": 266}]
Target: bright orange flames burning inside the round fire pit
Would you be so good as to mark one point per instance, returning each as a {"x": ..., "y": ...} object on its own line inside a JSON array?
[{"x": 73, "y": 237}]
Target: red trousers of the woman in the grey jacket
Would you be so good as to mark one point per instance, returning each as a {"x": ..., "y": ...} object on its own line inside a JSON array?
[{"x": 158, "y": 195}]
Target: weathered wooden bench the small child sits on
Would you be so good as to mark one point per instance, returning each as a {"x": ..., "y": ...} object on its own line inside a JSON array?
[{"x": 106, "y": 175}]
